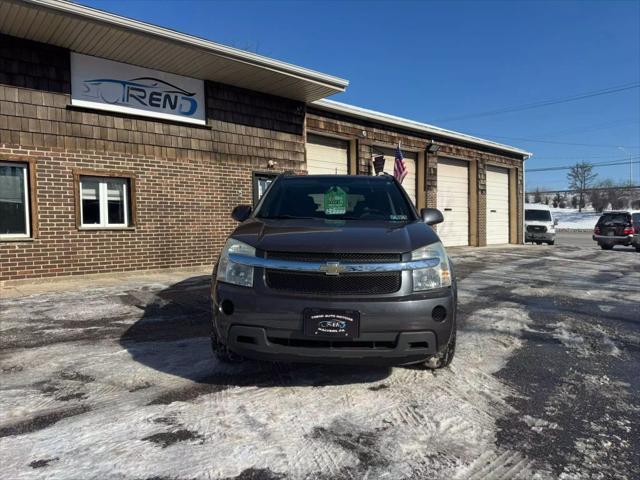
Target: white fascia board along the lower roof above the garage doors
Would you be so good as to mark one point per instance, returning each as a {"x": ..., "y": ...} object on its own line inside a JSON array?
[{"x": 363, "y": 113}]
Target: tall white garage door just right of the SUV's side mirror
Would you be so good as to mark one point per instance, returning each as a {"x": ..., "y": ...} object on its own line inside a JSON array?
[{"x": 453, "y": 202}]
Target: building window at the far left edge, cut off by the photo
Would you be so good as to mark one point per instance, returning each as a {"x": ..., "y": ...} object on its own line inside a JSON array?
[{"x": 15, "y": 219}]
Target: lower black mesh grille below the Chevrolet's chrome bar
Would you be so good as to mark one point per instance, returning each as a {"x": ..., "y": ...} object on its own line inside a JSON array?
[{"x": 344, "y": 284}]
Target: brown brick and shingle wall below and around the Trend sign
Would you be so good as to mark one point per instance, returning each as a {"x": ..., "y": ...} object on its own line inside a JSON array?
[{"x": 187, "y": 178}]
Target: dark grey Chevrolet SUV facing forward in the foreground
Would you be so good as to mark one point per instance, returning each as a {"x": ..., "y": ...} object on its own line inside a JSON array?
[{"x": 335, "y": 269}]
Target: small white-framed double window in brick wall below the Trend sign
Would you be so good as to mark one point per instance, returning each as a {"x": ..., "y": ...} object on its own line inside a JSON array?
[{"x": 105, "y": 202}]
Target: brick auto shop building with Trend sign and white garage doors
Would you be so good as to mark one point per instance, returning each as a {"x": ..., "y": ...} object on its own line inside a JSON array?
[{"x": 90, "y": 186}]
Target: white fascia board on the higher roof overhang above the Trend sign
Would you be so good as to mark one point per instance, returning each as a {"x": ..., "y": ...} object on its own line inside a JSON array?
[{"x": 192, "y": 41}]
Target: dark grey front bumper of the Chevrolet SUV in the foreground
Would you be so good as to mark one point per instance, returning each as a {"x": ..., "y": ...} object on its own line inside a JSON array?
[{"x": 393, "y": 330}]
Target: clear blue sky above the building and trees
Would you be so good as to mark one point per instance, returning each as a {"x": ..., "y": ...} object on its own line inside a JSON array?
[{"x": 444, "y": 62}]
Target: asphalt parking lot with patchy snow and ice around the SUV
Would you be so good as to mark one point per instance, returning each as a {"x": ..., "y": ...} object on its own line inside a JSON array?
[{"x": 114, "y": 379}]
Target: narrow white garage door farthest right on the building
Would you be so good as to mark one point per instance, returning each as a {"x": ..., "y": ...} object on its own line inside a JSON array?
[{"x": 497, "y": 205}]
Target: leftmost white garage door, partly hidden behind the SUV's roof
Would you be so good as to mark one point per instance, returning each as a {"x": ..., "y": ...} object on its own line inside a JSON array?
[{"x": 327, "y": 156}]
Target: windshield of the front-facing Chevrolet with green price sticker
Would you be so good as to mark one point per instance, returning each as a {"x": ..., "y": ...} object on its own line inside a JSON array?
[{"x": 336, "y": 198}]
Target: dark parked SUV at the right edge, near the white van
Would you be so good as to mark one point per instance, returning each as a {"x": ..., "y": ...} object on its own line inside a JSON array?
[{"x": 618, "y": 228}]
